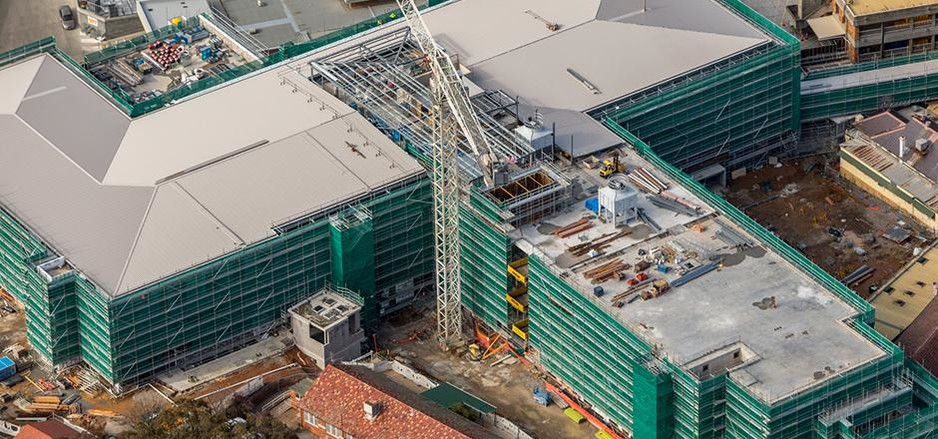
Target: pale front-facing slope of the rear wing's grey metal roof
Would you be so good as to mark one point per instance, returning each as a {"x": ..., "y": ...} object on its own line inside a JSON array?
[{"x": 617, "y": 58}]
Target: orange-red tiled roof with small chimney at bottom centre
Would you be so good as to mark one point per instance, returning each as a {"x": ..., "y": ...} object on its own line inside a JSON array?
[{"x": 338, "y": 396}]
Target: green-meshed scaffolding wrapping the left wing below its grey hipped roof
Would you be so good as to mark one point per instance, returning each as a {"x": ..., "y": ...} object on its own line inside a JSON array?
[{"x": 379, "y": 245}]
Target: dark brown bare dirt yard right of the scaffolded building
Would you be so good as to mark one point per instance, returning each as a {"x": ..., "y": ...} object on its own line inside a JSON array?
[{"x": 802, "y": 206}]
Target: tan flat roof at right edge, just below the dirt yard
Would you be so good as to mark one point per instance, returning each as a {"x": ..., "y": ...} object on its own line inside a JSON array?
[{"x": 903, "y": 299}]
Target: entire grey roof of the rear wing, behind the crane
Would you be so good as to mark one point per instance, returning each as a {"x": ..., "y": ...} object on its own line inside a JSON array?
[{"x": 612, "y": 44}]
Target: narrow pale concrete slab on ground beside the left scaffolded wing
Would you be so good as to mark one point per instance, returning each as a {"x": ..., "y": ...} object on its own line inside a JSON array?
[{"x": 183, "y": 380}]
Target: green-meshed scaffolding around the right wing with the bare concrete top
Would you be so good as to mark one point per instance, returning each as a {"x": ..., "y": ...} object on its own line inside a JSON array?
[{"x": 871, "y": 400}]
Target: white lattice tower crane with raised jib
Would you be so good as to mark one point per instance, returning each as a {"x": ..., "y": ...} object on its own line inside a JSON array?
[{"x": 452, "y": 117}]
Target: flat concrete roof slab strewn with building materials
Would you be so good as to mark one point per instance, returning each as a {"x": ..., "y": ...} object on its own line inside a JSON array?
[{"x": 797, "y": 343}]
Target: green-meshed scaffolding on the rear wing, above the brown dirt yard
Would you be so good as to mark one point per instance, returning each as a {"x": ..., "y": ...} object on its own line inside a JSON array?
[{"x": 735, "y": 111}]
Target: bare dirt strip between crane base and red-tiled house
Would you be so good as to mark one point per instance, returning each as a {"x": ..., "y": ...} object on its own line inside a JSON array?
[{"x": 506, "y": 386}]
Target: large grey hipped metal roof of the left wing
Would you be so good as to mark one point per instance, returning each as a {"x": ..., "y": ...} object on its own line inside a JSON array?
[{"x": 135, "y": 200}]
